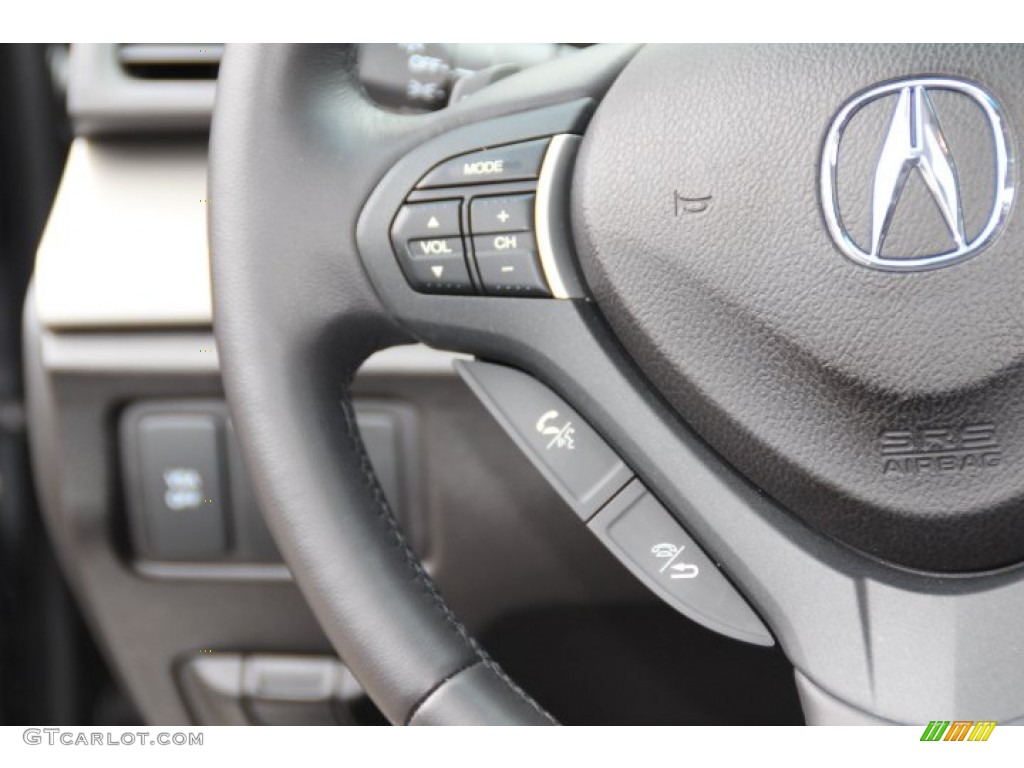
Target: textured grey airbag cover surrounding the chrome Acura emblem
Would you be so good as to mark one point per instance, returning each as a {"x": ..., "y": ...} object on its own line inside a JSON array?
[{"x": 883, "y": 408}]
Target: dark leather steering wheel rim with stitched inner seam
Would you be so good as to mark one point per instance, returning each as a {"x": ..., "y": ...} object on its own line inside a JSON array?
[{"x": 296, "y": 148}]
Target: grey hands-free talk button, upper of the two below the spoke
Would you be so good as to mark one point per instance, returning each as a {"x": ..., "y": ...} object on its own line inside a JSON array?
[{"x": 567, "y": 451}]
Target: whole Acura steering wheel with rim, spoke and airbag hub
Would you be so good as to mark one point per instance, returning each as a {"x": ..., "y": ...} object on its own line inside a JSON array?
[{"x": 781, "y": 285}]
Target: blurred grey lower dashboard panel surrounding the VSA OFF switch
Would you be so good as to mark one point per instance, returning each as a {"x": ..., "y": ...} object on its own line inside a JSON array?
[{"x": 501, "y": 540}]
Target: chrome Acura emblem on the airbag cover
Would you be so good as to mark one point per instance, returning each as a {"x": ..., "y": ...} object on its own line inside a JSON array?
[{"x": 915, "y": 144}]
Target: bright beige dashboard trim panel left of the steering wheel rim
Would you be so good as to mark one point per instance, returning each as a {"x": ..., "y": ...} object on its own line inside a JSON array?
[{"x": 125, "y": 245}]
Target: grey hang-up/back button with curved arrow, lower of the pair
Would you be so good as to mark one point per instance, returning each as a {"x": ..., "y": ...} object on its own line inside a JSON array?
[{"x": 654, "y": 546}]
